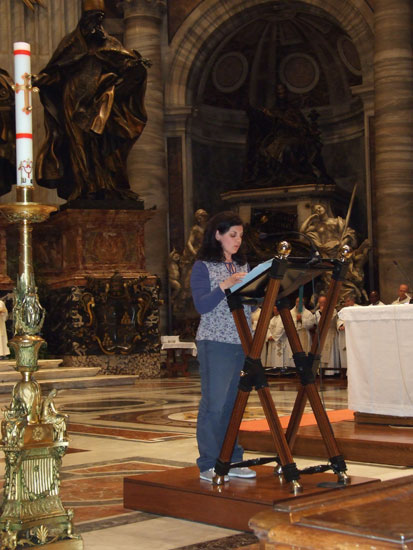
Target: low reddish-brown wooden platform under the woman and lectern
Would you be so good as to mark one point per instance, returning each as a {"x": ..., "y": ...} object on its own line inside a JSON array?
[{"x": 180, "y": 493}]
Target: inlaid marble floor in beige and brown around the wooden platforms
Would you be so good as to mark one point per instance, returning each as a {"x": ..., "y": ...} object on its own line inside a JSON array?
[{"x": 122, "y": 430}]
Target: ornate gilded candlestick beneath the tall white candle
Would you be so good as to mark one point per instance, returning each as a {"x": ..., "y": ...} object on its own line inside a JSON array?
[{"x": 33, "y": 432}]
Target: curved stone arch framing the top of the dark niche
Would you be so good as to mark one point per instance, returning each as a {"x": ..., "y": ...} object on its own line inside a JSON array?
[{"x": 211, "y": 22}]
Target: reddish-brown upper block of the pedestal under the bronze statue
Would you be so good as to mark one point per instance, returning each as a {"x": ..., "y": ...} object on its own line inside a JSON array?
[{"x": 76, "y": 244}]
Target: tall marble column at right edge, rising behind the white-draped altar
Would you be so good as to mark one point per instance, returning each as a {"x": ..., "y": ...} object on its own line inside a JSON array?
[{"x": 393, "y": 189}]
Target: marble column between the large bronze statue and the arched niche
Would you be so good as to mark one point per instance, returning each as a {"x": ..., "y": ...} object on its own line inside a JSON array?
[{"x": 147, "y": 160}]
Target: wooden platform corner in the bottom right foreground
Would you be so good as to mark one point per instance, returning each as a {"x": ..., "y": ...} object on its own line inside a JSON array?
[{"x": 377, "y": 516}]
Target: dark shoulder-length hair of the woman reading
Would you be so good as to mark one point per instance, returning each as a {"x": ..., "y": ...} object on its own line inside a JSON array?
[{"x": 211, "y": 249}]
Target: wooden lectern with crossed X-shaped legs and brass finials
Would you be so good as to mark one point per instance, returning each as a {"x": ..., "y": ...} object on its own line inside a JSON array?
[{"x": 274, "y": 280}]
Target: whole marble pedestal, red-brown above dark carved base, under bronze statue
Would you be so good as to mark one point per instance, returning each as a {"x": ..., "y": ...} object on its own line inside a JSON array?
[{"x": 102, "y": 305}]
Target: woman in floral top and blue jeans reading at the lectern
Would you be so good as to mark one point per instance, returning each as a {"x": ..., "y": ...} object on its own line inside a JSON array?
[{"x": 220, "y": 265}]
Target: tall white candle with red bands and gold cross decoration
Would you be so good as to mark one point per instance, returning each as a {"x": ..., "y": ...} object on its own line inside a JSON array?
[{"x": 23, "y": 98}]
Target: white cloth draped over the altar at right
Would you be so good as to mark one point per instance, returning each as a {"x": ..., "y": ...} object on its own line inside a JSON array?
[{"x": 379, "y": 342}]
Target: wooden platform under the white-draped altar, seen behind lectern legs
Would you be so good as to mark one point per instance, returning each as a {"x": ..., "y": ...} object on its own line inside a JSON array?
[{"x": 359, "y": 442}]
